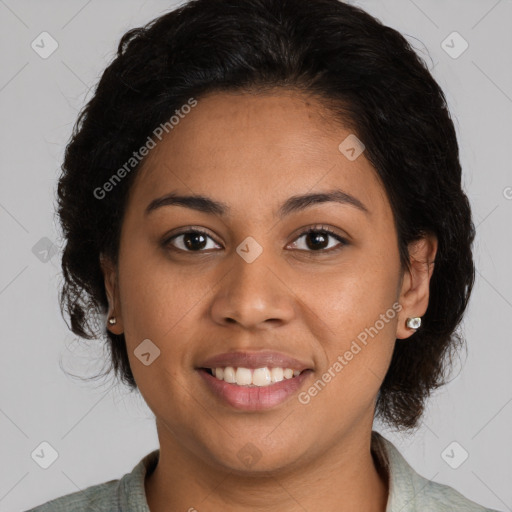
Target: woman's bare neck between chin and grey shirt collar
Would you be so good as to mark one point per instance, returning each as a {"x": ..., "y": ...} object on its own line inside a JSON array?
[{"x": 343, "y": 479}]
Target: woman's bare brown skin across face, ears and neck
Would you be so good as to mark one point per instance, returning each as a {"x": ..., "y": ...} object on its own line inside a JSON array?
[{"x": 253, "y": 152}]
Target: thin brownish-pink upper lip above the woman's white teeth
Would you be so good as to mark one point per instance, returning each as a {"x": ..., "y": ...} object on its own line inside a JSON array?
[{"x": 254, "y": 360}]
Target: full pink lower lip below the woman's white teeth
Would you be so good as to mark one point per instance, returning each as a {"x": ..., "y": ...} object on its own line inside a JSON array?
[{"x": 254, "y": 398}]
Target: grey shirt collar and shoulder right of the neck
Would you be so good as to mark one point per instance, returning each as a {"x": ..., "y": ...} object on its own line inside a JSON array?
[{"x": 409, "y": 491}]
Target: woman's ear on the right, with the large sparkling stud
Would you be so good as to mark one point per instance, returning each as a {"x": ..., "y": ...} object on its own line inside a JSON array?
[{"x": 414, "y": 293}]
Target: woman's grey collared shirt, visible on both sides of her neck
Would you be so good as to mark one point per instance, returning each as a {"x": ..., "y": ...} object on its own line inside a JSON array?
[{"x": 408, "y": 491}]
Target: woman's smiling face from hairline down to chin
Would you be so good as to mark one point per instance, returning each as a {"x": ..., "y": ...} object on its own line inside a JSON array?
[{"x": 253, "y": 282}]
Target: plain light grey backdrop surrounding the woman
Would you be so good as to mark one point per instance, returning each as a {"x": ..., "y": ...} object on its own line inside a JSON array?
[{"x": 99, "y": 431}]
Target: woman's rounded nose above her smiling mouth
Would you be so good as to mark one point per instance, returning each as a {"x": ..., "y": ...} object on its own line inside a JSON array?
[{"x": 254, "y": 295}]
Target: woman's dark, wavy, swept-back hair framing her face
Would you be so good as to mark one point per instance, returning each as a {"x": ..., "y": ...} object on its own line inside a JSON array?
[{"x": 373, "y": 82}]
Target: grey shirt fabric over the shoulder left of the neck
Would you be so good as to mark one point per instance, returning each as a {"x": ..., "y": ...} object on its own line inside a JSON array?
[{"x": 125, "y": 494}]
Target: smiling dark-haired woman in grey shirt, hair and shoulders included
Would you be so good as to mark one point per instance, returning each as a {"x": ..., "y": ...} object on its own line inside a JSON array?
[{"x": 264, "y": 198}]
